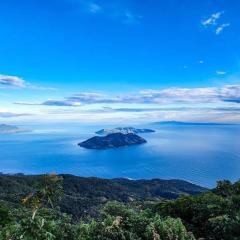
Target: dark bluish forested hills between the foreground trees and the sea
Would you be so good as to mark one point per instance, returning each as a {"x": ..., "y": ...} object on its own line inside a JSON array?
[{"x": 84, "y": 196}]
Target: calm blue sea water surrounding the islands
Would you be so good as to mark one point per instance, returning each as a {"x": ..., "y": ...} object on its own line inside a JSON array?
[{"x": 200, "y": 154}]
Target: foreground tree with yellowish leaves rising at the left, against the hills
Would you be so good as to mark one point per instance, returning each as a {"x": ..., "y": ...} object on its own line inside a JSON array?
[{"x": 36, "y": 222}]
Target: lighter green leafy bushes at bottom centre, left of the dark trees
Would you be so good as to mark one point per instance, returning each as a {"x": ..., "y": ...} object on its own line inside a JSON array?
[{"x": 120, "y": 222}]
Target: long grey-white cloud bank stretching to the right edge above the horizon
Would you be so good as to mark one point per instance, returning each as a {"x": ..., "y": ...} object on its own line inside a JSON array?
[{"x": 227, "y": 93}]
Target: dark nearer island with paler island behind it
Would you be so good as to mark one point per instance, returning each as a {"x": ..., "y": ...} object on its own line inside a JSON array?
[{"x": 113, "y": 140}]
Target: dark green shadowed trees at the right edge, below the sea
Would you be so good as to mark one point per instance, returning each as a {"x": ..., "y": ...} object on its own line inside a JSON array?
[{"x": 213, "y": 215}]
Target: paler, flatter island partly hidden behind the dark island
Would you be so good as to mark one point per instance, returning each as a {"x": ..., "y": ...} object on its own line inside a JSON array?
[{"x": 124, "y": 130}]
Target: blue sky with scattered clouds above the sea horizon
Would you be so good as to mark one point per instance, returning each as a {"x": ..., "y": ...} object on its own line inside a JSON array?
[{"x": 120, "y": 59}]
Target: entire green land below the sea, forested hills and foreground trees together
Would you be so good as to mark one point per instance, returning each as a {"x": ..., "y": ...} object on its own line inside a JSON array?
[{"x": 66, "y": 207}]
